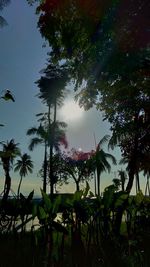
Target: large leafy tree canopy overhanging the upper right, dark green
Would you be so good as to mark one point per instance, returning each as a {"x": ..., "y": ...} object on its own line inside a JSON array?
[{"x": 105, "y": 46}]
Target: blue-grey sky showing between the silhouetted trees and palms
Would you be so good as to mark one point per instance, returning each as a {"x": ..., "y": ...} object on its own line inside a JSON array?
[{"x": 22, "y": 56}]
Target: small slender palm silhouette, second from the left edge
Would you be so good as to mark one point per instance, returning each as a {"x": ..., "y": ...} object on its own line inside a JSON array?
[{"x": 23, "y": 165}]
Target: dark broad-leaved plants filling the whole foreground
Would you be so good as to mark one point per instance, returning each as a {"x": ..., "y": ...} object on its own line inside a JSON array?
[{"x": 110, "y": 231}]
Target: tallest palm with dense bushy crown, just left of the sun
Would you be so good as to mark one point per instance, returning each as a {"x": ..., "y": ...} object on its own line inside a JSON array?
[{"x": 52, "y": 91}]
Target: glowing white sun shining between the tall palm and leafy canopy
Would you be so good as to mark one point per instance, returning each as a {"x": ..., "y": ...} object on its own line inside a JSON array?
[{"x": 71, "y": 111}]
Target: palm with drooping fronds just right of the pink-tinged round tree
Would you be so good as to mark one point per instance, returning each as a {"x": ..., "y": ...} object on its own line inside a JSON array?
[{"x": 100, "y": 161}]
